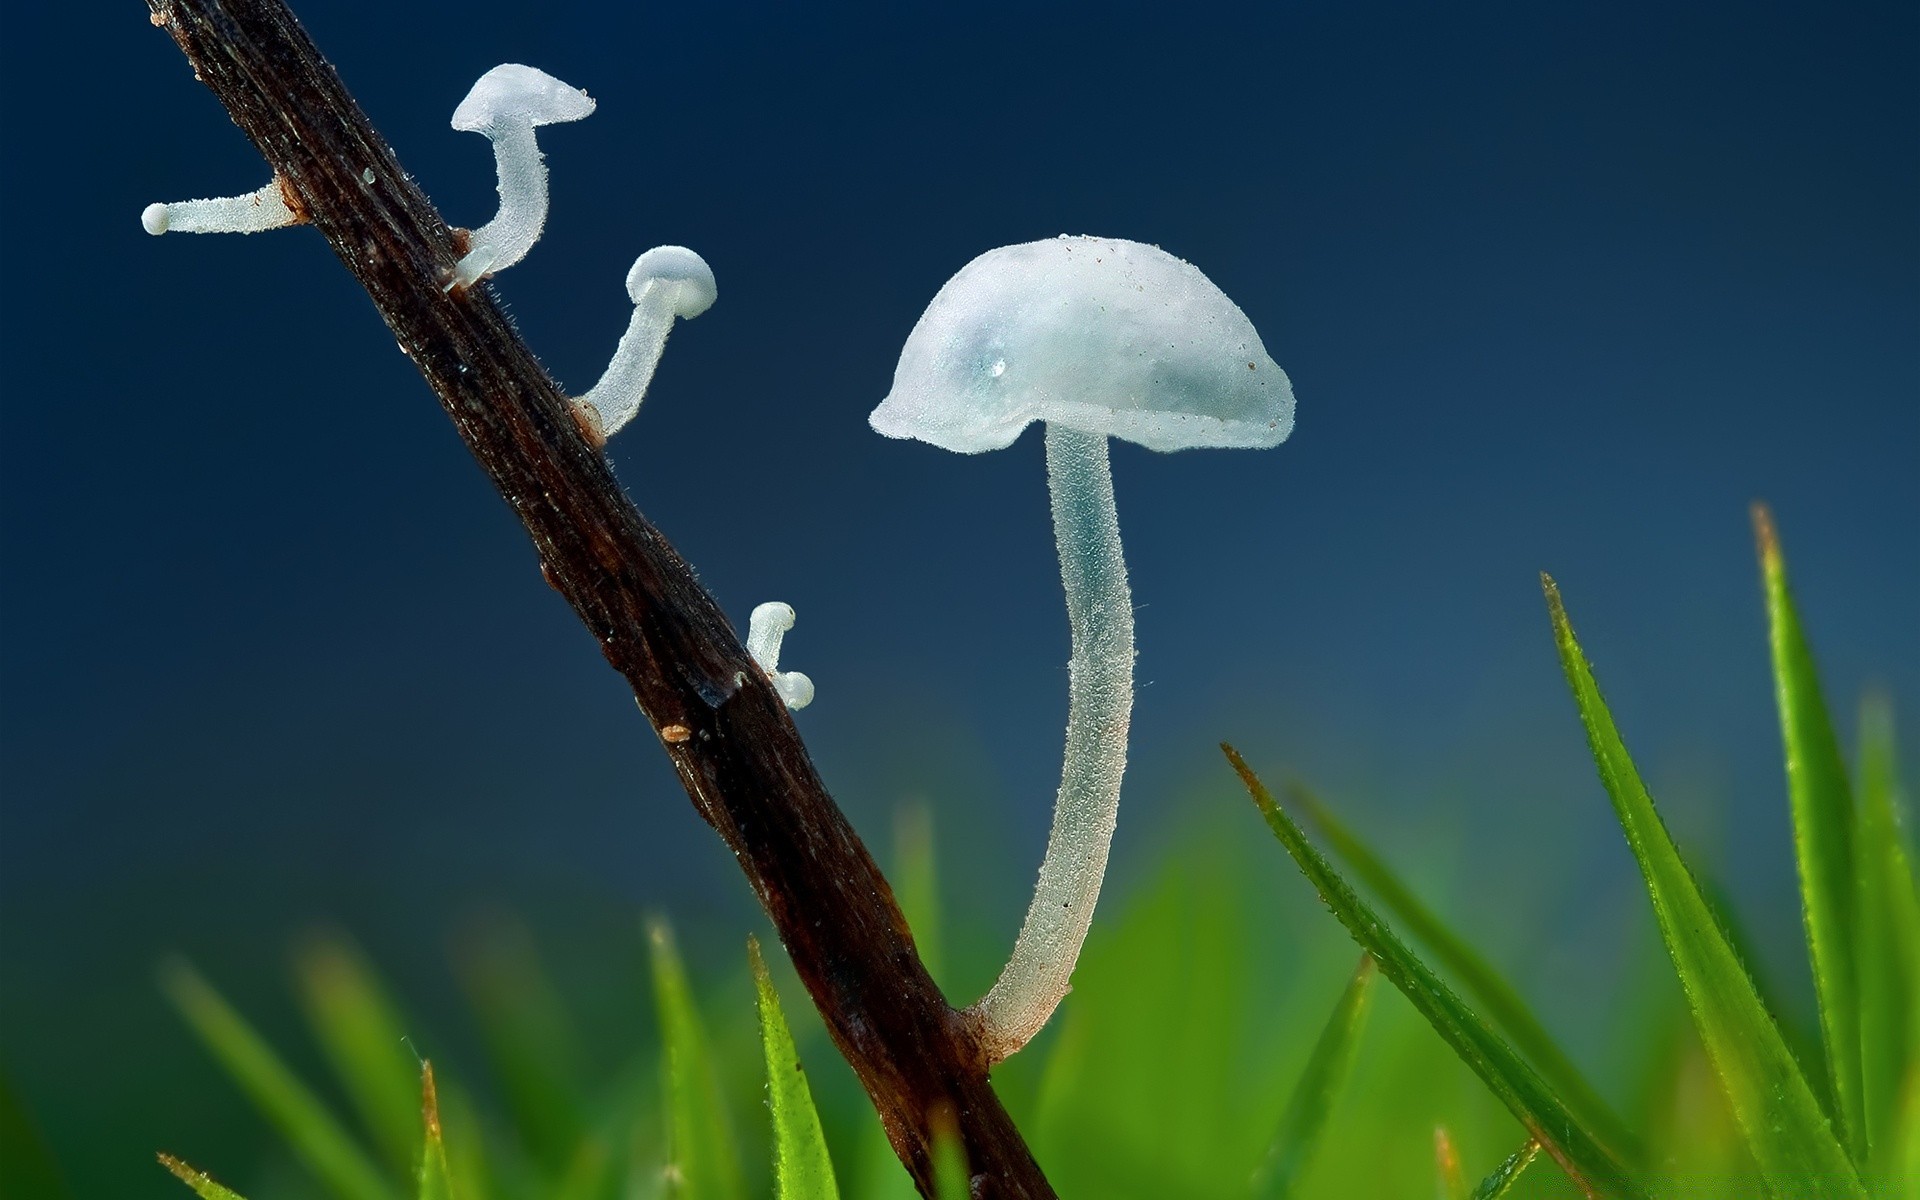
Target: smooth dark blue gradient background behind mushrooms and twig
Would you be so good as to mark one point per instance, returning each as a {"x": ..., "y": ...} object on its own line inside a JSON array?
[{"x": 1560, "y": 287}]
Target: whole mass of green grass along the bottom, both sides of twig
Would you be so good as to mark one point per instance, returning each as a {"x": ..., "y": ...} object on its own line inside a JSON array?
[{"x": 1197, "y": 1055}]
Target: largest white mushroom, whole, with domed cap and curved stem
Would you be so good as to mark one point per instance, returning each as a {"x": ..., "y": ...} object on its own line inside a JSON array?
[{"x": 1099, "y": 339}]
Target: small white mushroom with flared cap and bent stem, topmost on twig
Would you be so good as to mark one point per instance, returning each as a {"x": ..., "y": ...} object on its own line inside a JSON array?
[{"x": 508, "y": 105}]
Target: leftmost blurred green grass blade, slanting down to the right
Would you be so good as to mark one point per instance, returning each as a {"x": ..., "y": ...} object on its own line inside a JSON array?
[{"x": 316, "y": 1136}]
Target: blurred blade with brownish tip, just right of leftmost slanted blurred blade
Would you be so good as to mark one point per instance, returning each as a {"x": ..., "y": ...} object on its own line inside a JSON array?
[{"x": 364, "y": 1042}]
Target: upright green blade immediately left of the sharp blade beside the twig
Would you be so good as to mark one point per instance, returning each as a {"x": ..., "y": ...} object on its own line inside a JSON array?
[{"x": 702, "y": 1138}]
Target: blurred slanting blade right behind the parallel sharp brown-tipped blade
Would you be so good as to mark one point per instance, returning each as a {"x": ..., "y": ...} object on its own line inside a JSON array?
[{"x": 1476, "y": 974}]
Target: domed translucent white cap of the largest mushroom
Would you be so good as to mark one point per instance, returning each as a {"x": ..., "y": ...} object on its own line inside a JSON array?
[{"x": 1099, "y": 335}]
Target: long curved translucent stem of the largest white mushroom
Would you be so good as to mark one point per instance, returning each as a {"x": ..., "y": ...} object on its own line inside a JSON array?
[{"x": 1099, "y": 709}]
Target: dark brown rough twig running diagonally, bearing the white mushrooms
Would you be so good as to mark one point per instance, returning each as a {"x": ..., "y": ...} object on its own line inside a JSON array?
[{"x": 719, "y": 721}]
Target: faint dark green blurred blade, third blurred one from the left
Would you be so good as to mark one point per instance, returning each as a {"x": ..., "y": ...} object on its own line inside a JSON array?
[{"x": 529, "y": 1040}]
